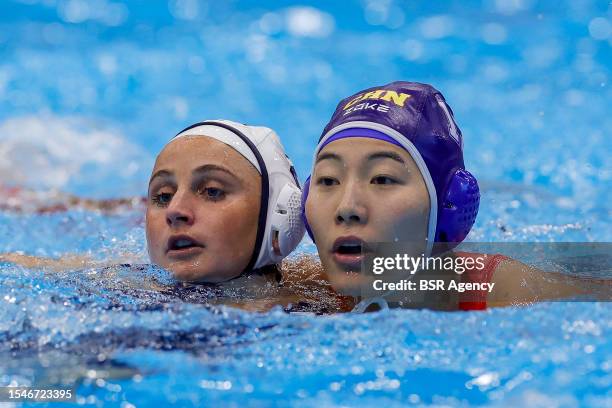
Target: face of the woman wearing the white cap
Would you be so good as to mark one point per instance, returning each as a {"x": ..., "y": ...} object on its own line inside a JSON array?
[{"x": 202, "y": 210}]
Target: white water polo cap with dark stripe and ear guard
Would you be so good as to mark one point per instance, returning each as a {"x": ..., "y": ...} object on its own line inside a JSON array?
[{"x": 280, "y": 219}]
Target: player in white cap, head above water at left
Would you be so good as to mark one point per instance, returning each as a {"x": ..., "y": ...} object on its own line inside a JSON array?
[{"x": 223, "y": 200}]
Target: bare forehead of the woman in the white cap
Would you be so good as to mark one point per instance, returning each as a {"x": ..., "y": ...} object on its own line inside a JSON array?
[{"x": 195, "y": 151}]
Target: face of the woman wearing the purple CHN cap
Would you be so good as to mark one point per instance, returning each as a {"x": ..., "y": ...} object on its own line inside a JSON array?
[{"x": 364, "y": 191}]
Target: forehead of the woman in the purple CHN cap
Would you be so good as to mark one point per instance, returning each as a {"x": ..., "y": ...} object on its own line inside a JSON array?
[{"x": 358, "y": 150}]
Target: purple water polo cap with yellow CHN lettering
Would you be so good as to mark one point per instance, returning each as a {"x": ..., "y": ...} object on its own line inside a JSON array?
[{"x": 416, "y": 117}]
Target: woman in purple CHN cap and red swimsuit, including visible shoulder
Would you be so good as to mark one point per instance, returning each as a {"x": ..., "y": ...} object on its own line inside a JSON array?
[{"x": 389, "y": 168}]
